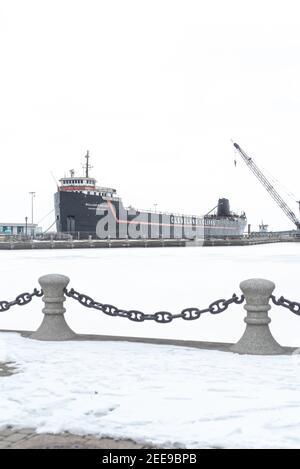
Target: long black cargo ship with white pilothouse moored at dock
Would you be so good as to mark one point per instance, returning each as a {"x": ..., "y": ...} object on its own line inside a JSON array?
[{"x": 85, "y": 210}]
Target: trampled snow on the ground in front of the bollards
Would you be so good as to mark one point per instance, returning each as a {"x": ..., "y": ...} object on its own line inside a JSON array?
[{"x": 167, "y": 396}]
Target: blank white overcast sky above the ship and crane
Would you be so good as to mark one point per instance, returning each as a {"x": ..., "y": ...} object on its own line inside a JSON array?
[{"x": 155, "y": 90}]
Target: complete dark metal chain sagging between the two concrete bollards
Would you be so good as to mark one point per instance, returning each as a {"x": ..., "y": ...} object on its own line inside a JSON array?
[{"x": 188, "y": 314}]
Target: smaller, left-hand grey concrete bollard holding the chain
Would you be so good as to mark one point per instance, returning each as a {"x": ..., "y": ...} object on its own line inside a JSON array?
[{"x": 54, "y": 326}]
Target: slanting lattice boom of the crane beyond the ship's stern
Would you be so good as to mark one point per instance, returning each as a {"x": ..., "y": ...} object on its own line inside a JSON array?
[{"x": 268, "y": 186}]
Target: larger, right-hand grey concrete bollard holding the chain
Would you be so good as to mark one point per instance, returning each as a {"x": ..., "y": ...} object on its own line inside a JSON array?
[{"x": 257, "y": 338}]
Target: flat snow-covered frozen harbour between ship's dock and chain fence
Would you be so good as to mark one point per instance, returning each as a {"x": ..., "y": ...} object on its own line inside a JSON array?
[{"x": 154, "y": 279}]
